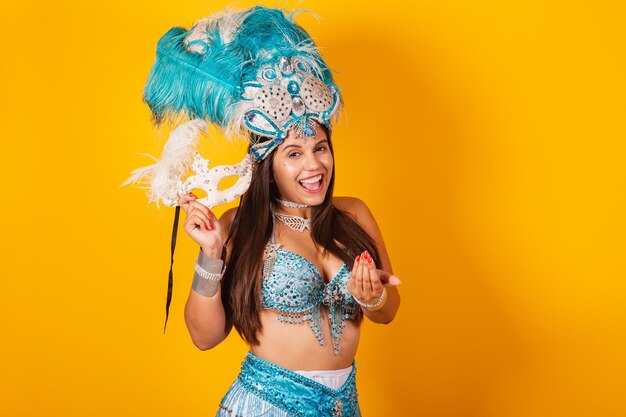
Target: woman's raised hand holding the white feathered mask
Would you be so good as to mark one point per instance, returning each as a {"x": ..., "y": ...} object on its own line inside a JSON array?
[{"x": 202, "y": 225}]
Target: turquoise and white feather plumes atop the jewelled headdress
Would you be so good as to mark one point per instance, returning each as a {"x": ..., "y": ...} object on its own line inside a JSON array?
[{"x": 206, "y": 81}]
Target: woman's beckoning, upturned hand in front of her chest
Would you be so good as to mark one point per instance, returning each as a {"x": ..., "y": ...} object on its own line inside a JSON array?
[{"x": 366, "y": 282}]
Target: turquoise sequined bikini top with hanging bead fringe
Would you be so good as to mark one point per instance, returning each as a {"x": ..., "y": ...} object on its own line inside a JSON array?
[{"x": 294, "y": 287}]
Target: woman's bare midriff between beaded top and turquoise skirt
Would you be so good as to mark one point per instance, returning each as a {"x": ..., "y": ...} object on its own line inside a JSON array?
[{"x": 294, "y": 346}]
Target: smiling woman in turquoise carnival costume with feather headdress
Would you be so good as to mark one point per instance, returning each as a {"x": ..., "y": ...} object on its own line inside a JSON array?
[{"x": 293, "y": 269}]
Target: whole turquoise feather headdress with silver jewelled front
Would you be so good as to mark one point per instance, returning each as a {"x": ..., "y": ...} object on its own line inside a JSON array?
[{"x": 252, "y": 71}]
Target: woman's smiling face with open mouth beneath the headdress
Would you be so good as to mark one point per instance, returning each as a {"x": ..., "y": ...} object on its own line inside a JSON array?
[{"x": 302, "y": 168}]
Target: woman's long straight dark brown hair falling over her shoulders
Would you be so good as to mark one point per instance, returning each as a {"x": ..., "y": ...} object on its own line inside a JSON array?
[{"x": 332, "y": 229}]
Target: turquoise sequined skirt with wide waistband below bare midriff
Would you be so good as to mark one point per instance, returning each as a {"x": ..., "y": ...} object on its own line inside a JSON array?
[{"x": 266, "y": 389}]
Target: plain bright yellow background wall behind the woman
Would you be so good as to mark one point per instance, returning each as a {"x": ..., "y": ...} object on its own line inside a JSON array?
[{"x": 487, "y": 137}]
